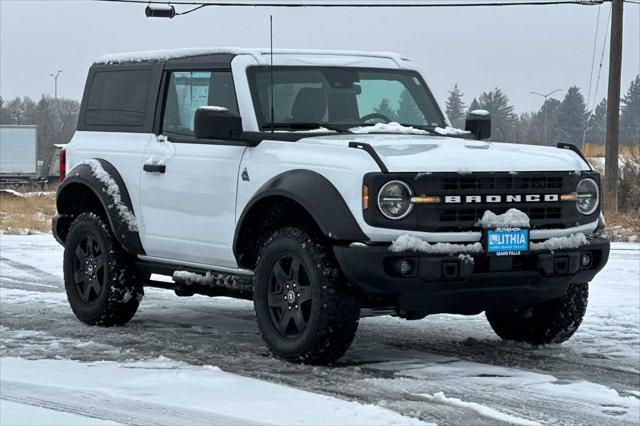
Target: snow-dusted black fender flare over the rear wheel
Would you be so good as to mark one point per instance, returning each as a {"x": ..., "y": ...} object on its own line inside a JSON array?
[{"x": 116, "y": 202}]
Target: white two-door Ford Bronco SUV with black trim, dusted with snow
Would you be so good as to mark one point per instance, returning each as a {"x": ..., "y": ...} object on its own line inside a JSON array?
[{"x": 324, "y": 186}]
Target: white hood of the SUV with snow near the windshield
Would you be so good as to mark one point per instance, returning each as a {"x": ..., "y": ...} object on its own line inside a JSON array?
[{"x": 418, "y": 153}]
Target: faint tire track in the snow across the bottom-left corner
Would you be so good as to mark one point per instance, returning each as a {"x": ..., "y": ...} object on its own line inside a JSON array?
[{"x": 106, "y": 407}]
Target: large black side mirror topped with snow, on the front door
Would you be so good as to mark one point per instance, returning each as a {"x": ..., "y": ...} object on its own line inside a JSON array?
[{"x": 214, "y": 122}]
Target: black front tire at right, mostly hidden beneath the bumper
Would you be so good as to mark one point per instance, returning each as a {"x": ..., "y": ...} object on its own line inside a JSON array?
[{"x": 550, "y": 322}]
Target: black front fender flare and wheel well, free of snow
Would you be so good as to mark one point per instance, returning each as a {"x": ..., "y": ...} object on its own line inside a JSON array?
[{"x": 286, "y": 199}]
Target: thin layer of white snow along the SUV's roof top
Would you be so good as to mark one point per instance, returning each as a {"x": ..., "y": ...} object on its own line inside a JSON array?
[{"x": 167, "y": 54}]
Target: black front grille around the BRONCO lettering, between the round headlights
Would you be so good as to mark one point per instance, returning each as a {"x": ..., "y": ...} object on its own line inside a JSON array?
[{"x": 462, "y": 217}]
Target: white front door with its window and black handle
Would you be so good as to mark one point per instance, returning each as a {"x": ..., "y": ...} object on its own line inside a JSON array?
[{"x": 188, "y": 190}]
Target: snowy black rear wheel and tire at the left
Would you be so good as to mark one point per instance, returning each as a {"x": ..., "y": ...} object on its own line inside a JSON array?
[{"x": 118, "y": 290}]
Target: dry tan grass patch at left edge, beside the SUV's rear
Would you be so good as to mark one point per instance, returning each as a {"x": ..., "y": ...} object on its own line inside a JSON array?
[{"x": 20, "y": 215}]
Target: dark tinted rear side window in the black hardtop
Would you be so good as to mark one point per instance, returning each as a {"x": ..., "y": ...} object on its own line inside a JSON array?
[{"x": 118, "y": 98}]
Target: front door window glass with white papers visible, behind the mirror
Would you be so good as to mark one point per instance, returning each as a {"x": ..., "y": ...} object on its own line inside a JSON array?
[{"x": 189, "y": 90}]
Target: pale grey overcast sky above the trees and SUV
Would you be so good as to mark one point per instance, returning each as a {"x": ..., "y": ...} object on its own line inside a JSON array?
[{"x": 519, "y": 49}]
